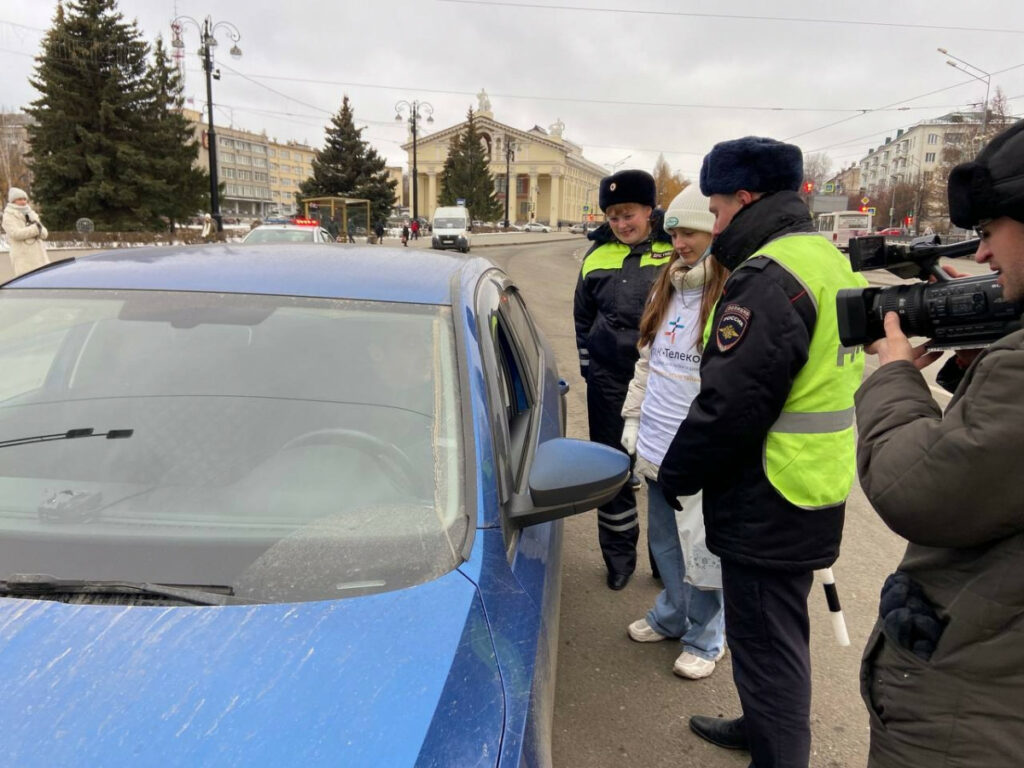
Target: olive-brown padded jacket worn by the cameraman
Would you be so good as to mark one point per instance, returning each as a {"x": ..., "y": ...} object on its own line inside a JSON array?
[{"x": 950, "y": 484}]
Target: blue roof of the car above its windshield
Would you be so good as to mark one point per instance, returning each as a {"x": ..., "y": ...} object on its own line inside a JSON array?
[{"x": 371, "y": 273}]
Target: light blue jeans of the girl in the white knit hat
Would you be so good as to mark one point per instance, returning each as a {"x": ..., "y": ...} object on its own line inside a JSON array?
[{"x": 697, "y": 617}]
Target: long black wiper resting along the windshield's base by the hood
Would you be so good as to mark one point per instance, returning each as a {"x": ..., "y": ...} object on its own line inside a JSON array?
[{"x": 42, "y": 585}]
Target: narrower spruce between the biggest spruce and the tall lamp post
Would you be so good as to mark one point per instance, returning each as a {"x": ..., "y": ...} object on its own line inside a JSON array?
[{"x": 185, "y": 188}]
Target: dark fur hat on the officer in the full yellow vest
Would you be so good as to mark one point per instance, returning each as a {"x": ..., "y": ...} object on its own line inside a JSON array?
[{"x": 752, "y": 163}]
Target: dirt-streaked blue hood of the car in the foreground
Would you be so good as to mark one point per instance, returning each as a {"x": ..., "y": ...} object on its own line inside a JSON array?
[{"x": 361, "y": 681}]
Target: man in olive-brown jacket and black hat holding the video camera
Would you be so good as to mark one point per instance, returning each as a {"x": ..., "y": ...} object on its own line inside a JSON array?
[{"x": 944, "y": 671}]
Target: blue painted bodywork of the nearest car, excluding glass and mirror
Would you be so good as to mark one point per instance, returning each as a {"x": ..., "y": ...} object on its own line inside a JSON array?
[{"x": 458, "y": 671}]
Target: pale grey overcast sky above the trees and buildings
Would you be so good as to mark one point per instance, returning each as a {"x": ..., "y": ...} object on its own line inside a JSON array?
[{"x": 670, "y": 77}]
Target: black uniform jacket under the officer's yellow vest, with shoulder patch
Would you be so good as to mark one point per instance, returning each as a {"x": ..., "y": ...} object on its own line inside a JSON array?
[{"x": 745, "y": 383}]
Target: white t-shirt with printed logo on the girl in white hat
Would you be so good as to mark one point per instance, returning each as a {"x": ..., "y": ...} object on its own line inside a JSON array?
[{"x": 674, "y": 377}]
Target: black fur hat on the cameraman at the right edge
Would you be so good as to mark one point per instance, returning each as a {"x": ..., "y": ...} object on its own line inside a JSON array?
[{"x": 993, "y": 185}]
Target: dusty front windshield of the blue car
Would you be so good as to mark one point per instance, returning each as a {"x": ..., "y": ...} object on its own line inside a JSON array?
[{"x": 291, "y": 449}]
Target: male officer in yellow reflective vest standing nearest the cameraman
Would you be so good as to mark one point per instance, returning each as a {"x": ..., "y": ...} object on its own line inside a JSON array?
[{"x": 770, "y": 438}]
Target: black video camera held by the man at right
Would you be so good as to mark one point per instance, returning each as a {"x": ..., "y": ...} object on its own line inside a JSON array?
[{"x": 955, "y": 314}]
